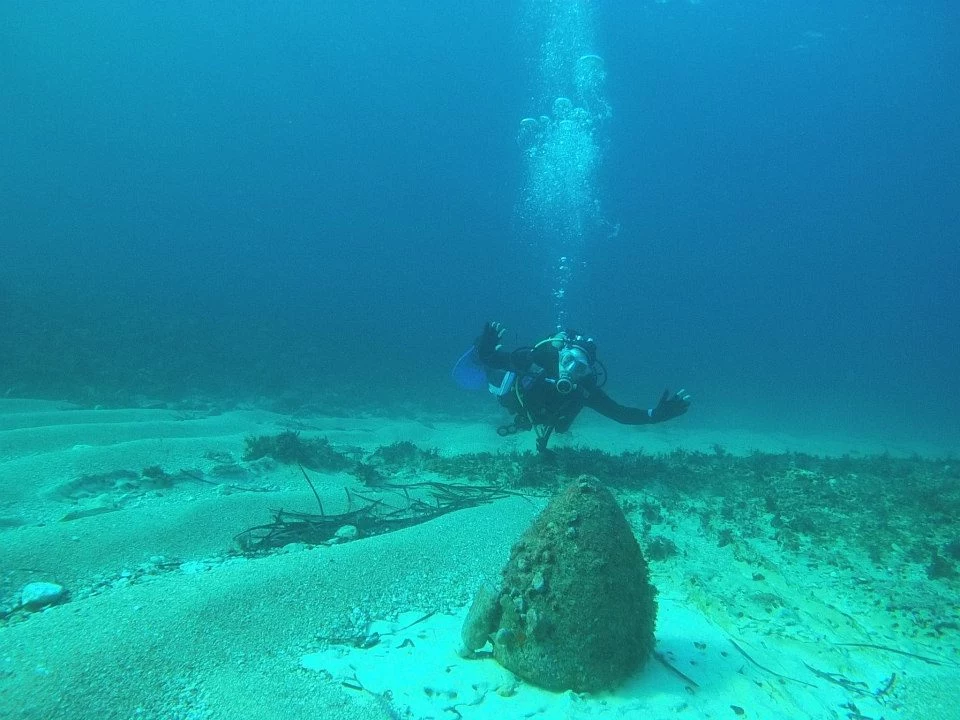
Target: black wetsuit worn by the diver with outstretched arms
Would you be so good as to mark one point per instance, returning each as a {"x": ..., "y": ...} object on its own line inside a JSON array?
[{"x": 541, "y": 404}]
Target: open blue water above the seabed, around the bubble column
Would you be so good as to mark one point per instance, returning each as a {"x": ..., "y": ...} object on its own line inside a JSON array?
[{"x": 303, "y": 199}]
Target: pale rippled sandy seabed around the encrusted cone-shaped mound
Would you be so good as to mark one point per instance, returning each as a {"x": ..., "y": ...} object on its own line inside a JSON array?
[{"x": 164, "y": 618}]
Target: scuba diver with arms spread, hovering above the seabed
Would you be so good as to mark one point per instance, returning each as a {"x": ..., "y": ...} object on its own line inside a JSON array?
[{"x": 545, "y": 386}]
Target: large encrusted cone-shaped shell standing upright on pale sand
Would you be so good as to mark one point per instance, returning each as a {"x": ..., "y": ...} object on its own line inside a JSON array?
[{"x": 576, "y": 610}]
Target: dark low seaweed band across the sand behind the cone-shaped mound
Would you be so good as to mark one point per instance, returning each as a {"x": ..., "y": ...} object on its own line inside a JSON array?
[{"x": 843, "y": 509}]
